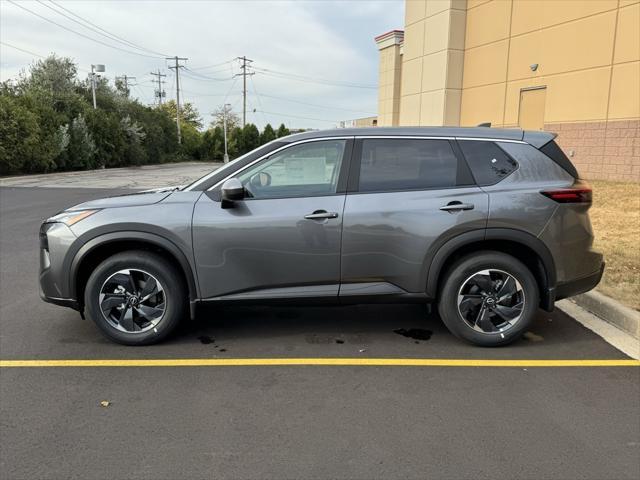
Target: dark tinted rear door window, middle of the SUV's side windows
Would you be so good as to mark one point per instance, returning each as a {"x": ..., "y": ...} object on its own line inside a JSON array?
[{"x": 400, "y": 164}]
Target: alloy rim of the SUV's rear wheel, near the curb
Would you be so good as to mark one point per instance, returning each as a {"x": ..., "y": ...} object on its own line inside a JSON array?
[{"x": 491, "y": 301}]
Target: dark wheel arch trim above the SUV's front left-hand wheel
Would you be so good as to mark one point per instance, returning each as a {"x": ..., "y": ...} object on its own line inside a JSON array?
[{"x": 94, "y": 251}]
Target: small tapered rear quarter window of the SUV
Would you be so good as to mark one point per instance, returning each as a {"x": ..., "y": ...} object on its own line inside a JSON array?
[{"x": 488, "y": 162}]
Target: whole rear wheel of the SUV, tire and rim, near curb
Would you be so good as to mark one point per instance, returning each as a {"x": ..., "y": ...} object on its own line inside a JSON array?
[{"x": 488, "y": 298}]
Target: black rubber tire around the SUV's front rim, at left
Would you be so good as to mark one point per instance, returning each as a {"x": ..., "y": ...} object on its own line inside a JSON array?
[{"x": 173, "y": 291}]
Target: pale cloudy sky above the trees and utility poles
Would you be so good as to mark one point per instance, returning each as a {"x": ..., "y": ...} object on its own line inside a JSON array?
[{"x": 327, "y": 40}]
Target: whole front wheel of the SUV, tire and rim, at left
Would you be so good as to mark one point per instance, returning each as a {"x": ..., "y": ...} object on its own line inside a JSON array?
[{"x": 135, "y": 298}]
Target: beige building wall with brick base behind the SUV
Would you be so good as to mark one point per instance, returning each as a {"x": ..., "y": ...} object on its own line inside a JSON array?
[{"x": 570, "y": 66}]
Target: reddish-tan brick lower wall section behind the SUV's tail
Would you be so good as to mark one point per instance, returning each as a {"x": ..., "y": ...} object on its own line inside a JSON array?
[{"x": 602, "y": 150}]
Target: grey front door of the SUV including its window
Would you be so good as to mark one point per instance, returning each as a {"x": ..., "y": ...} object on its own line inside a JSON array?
[{"x": 283, "y": 239}]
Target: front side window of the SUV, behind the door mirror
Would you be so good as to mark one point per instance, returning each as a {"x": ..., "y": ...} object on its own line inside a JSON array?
[{"x": 305, "y": 170}]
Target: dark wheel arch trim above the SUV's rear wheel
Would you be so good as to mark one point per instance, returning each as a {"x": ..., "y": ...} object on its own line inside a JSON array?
[{"x": 525, "y": 247}]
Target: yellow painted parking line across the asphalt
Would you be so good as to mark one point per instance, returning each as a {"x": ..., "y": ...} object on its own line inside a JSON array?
[{"x": 249, "y": 362}]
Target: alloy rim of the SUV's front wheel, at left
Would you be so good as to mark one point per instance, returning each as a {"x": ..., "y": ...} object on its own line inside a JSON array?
[{"x": 132, "y": 301}]
